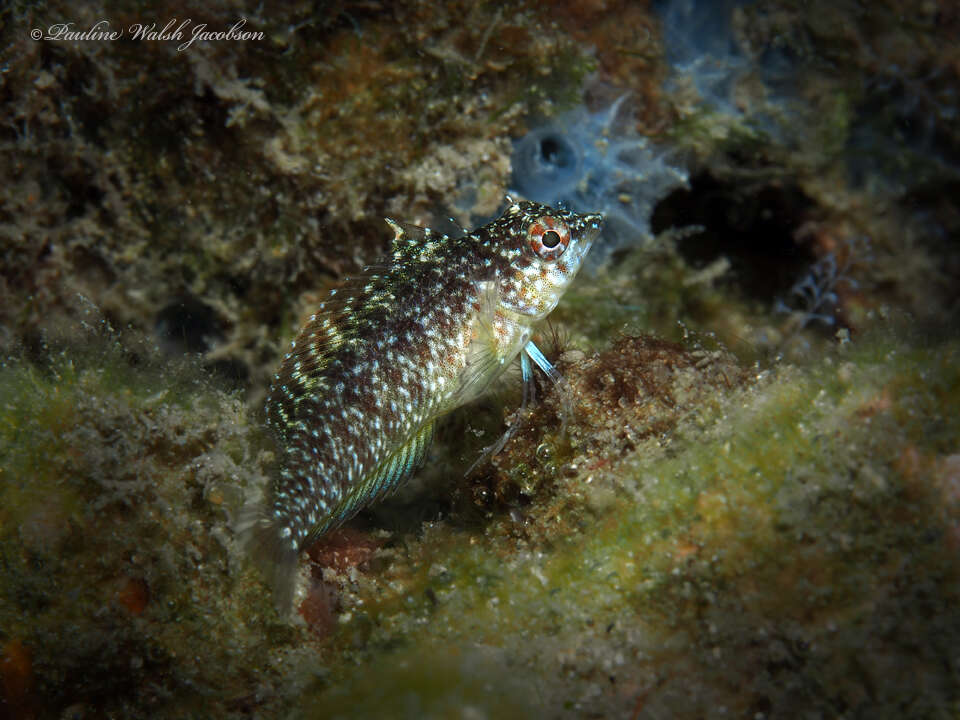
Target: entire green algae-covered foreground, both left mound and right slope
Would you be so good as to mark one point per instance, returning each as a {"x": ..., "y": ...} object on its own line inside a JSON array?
[{"x": 743, "y": 557}]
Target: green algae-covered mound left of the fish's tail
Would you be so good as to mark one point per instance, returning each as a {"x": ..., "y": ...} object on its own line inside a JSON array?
[{"x": 115, "y": 470}]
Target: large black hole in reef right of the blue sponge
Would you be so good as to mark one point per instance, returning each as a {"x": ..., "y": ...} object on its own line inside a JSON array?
[{"x": 754, "y": 227}]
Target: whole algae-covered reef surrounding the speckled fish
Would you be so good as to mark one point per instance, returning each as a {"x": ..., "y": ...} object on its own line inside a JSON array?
[{"x": 744, "y": 501}]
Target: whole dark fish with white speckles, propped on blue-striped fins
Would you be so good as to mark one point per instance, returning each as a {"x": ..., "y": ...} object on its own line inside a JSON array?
[{"x": 355, "y": 401}]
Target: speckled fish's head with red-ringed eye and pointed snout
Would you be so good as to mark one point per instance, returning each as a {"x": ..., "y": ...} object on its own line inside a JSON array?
[{"x": 546, "y": 247}]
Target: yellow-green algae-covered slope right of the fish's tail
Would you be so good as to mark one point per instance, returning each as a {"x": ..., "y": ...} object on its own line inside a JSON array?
[{"x": 778, "y": 525}]
